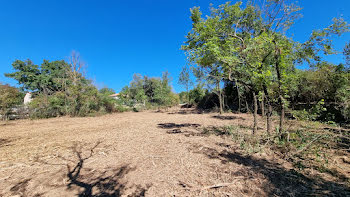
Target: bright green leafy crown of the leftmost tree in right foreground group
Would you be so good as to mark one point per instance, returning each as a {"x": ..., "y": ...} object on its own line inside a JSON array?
[{"x": 227, "y": 39}]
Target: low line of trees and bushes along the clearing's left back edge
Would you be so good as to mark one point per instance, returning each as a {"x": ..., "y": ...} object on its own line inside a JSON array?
[{"x": 61, "y": 88}]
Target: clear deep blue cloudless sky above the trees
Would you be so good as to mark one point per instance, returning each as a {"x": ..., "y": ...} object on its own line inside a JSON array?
[{"x": 117, "y": 38}]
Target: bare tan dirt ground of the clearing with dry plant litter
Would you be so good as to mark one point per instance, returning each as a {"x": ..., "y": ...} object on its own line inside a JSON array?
[{"x": 143, "y": 154}]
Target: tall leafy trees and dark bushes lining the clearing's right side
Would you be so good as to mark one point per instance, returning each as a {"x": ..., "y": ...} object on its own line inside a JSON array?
[{"x": 243, "y": 51}]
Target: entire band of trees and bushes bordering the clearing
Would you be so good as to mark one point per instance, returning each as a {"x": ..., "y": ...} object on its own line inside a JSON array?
[{"x": 241, "y": 55}]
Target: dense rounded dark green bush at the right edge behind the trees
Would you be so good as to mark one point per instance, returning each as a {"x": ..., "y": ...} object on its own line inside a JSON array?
[{"x": 326, "y": 84}]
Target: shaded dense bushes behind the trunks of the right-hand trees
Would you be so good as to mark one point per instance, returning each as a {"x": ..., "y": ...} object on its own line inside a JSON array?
[{"x": 321, "y": 93}]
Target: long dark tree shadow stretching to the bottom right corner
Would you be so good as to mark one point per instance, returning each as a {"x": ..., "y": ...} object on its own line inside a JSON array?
[{"x": 283, "y": 182}]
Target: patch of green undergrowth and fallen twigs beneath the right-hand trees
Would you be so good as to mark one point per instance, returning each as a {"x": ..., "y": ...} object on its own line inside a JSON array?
[{"x": 310, "y": 145}]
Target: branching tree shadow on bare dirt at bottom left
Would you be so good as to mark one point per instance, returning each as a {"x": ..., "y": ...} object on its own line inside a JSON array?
[{"x": 89, "y": 182}]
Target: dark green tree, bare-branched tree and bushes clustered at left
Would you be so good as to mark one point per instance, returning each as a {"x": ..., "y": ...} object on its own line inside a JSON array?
[{"x": 60, "y": 88}]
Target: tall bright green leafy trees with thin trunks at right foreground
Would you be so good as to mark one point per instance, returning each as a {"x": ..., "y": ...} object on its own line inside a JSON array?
[{"x": 251, "y": 47}]
